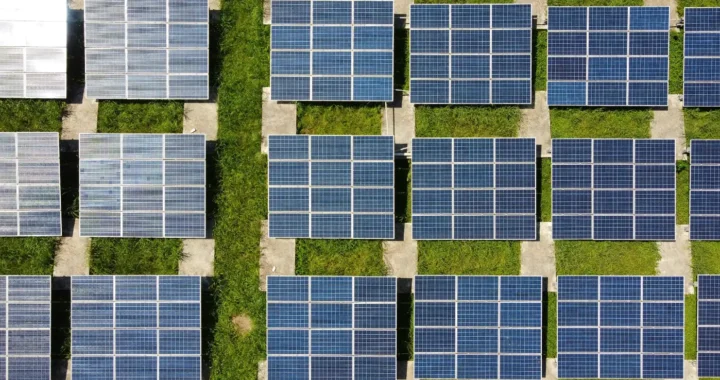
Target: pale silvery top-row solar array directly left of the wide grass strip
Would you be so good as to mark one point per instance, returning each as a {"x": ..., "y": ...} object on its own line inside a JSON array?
[{"x": 146, "y": 49}]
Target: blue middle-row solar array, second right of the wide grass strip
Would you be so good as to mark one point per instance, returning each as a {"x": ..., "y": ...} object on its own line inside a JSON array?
[{"x": 474, "y": 189}]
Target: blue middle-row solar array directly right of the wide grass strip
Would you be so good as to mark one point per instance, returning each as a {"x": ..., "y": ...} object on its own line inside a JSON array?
[{"x": 331, "y": 187}]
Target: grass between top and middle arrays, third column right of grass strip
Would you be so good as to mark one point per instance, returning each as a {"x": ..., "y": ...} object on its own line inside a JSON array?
[{"x": 600, "y": 123}]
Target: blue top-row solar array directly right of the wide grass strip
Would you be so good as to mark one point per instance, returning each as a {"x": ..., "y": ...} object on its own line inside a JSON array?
[{"x": 332, "y": 50}]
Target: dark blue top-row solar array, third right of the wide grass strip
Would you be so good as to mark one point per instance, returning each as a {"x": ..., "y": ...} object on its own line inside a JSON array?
[{"x": 608, "y": 56}]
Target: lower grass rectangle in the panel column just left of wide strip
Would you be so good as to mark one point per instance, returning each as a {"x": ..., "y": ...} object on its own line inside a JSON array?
[{"x": 135, "y": 256}]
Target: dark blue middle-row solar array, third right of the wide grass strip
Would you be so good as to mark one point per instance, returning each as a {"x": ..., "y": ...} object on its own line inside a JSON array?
[{"x": 605, "y": 189}]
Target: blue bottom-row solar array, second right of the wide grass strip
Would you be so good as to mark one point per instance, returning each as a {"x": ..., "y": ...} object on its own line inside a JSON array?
[{"x": 478, "y": 327}]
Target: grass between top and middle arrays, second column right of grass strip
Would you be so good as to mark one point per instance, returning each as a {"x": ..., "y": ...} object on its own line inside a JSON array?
[{"x": 466, "y": 121}]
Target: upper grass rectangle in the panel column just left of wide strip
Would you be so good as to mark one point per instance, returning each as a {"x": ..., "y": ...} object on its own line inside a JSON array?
[{"x": 140, "y": 117}]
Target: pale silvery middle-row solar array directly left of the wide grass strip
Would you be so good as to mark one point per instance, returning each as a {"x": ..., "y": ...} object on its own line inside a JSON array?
[{"x": 142, "y": 185}]
